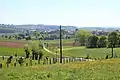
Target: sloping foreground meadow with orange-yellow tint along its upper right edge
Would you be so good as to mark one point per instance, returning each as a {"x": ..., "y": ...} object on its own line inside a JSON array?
[{"x": 96, "y": 70}]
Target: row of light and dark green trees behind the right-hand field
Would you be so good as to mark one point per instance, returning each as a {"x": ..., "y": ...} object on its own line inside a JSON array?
[{"x": 86, "y": 38}]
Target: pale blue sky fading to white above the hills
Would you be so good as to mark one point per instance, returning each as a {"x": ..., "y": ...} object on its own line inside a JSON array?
[{"x": 81, "y": 13}]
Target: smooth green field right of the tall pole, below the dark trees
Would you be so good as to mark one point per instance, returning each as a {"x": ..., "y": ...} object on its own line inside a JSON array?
[{"x": 94, "y": 52}]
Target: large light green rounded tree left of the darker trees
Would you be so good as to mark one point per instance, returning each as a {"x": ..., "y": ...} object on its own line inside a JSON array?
[{"x": 81, "y": 36}]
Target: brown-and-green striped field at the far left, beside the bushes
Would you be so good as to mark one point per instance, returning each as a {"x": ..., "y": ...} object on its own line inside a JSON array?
[{"x": 11, "y": 47}]
